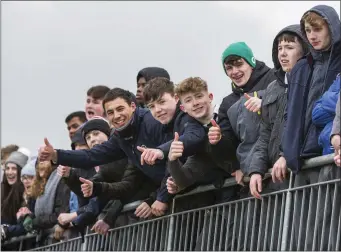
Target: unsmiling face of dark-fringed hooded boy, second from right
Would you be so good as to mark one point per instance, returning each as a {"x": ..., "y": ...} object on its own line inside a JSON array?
[{"x": 289, "y": 52}]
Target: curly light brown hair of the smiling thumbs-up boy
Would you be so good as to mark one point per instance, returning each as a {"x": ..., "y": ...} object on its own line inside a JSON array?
[{"x": 191, "y": 85}]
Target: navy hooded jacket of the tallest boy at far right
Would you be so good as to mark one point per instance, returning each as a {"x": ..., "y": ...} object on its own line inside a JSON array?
[{"x": 308, "y": 80}]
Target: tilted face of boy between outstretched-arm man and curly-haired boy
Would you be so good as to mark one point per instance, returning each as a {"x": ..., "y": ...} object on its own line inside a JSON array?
[{"x": 163, "y": 109}]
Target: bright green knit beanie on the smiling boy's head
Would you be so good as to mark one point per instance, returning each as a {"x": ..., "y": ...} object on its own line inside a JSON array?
[{"x": 239, "y": 49}]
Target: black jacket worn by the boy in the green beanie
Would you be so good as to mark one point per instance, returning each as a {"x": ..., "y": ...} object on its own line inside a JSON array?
[{"x": 260, "y": 78}]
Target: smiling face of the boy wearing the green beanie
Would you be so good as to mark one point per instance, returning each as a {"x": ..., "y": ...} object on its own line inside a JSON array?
[{"x": 239, "y": 71}]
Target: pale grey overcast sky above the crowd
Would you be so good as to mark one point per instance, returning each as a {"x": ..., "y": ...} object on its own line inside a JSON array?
[{"x": 52, "y": 52}]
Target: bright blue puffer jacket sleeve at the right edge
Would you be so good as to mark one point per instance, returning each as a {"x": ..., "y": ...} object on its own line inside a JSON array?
[{"x": 324, "y": 113}]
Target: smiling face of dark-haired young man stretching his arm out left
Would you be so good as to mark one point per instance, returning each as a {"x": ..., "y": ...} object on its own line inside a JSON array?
[{"x": 119, "y": 112}]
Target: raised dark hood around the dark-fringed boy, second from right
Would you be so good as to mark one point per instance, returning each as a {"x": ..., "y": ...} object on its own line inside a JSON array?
[{"x": 294, "y": 29}]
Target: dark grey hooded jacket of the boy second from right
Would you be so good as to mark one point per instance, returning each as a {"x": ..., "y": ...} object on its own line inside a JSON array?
[{"x": 267, "y": 148}]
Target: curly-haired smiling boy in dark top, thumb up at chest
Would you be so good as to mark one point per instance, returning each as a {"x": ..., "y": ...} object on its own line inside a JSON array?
[{"x": 201, "y": 167}]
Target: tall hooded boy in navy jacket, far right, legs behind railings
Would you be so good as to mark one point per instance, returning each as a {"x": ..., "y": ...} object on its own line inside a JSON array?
[{"x": 310, "y": 78}]
